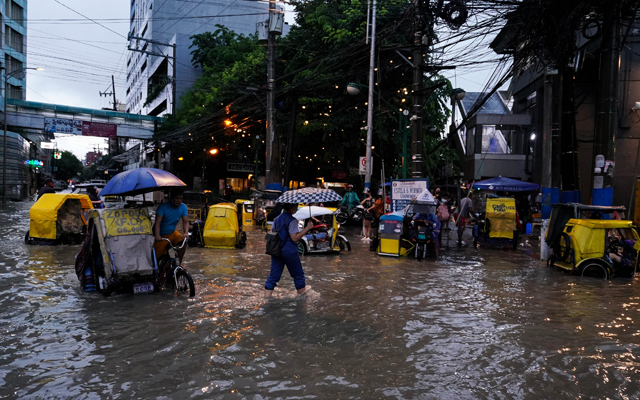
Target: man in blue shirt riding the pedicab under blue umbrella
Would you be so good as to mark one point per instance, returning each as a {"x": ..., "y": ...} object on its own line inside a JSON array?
[{"x": 167, "y": 217}]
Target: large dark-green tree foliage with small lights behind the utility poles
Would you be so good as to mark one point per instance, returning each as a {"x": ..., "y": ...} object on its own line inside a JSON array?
[{"x": 322, "y": 53}]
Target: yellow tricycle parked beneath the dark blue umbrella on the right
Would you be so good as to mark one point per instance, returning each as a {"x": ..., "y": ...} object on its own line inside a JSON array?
[{"x": 498, "y": 225}]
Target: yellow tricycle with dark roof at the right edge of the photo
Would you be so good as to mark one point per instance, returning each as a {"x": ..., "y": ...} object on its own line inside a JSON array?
[{"x": 598, "y": 248}]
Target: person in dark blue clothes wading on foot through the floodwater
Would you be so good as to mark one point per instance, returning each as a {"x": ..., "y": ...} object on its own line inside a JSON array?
[{"x": 287, "y": 228}]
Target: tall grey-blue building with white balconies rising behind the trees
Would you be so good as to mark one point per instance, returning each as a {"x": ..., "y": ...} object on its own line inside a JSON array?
[{"x": 150, "y": 71}]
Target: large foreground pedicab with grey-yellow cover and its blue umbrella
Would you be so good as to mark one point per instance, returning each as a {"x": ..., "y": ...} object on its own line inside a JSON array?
[{"x": 118, "y": 253}]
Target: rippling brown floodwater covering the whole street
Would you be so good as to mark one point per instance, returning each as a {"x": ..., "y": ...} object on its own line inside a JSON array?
[{"x": 478, "y": 324}]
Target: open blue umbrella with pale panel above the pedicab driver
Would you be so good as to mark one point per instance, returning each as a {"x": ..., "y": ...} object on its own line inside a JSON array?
[{"x": 139, "y": 181}]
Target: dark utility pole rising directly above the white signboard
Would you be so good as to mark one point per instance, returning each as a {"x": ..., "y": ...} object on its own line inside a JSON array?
[{"x": 417, "y": 163}]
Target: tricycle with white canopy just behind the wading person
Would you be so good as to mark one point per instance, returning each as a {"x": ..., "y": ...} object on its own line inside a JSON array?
[{"x": 324, "y": 236}]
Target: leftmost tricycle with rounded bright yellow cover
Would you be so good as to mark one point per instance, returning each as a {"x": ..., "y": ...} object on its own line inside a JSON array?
[{"x": 58, "y": 219}]
